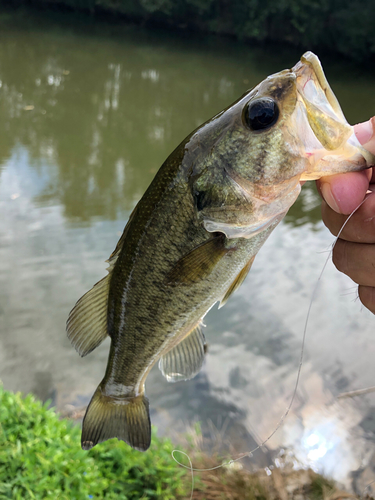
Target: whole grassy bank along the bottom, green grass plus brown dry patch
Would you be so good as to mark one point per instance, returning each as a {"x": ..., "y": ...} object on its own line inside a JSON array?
[{"x": 41, "y": 458}]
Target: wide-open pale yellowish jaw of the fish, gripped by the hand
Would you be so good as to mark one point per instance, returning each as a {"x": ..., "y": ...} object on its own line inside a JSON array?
[{"x": 330, "y": 144}]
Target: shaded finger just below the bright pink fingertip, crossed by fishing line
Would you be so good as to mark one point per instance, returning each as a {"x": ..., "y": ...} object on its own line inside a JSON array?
[{"x": 360, "y": 228}]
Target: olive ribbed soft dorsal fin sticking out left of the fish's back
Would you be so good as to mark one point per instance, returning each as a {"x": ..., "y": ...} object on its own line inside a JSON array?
[{"x": 87, "y": 322}]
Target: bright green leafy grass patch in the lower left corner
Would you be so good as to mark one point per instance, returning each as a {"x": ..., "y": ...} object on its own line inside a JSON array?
[{"x": 41, "y": 458}]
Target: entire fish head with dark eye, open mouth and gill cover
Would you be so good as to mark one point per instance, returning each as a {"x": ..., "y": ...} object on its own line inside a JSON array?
[{"x": 289, "y": 128}]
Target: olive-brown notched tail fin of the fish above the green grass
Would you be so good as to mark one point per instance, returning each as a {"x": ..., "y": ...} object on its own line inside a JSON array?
[{"x": 127, "y": 419}]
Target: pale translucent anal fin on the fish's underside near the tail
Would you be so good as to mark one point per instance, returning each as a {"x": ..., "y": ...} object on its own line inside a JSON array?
[{"x": 184, "y": 360}]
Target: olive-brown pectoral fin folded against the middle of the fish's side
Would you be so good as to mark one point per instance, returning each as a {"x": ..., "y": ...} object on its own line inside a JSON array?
[{"x": 198, "y": 263}]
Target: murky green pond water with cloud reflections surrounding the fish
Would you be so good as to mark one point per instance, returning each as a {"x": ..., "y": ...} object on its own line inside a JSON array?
[{"x": 88, "y": 112}]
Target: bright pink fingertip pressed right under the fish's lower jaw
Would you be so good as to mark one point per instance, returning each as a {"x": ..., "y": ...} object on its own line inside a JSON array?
[{"x": 344, "y": 192}]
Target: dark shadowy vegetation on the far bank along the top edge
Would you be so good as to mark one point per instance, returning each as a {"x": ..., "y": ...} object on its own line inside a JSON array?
[{"x": 338, "y": 26}]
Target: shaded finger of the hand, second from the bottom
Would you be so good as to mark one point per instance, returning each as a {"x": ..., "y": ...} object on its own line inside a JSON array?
[{"x": 356, "y": 260}]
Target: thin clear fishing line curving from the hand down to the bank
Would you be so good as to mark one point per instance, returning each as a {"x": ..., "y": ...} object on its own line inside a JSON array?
[{"x": 287, "y": 411}]
